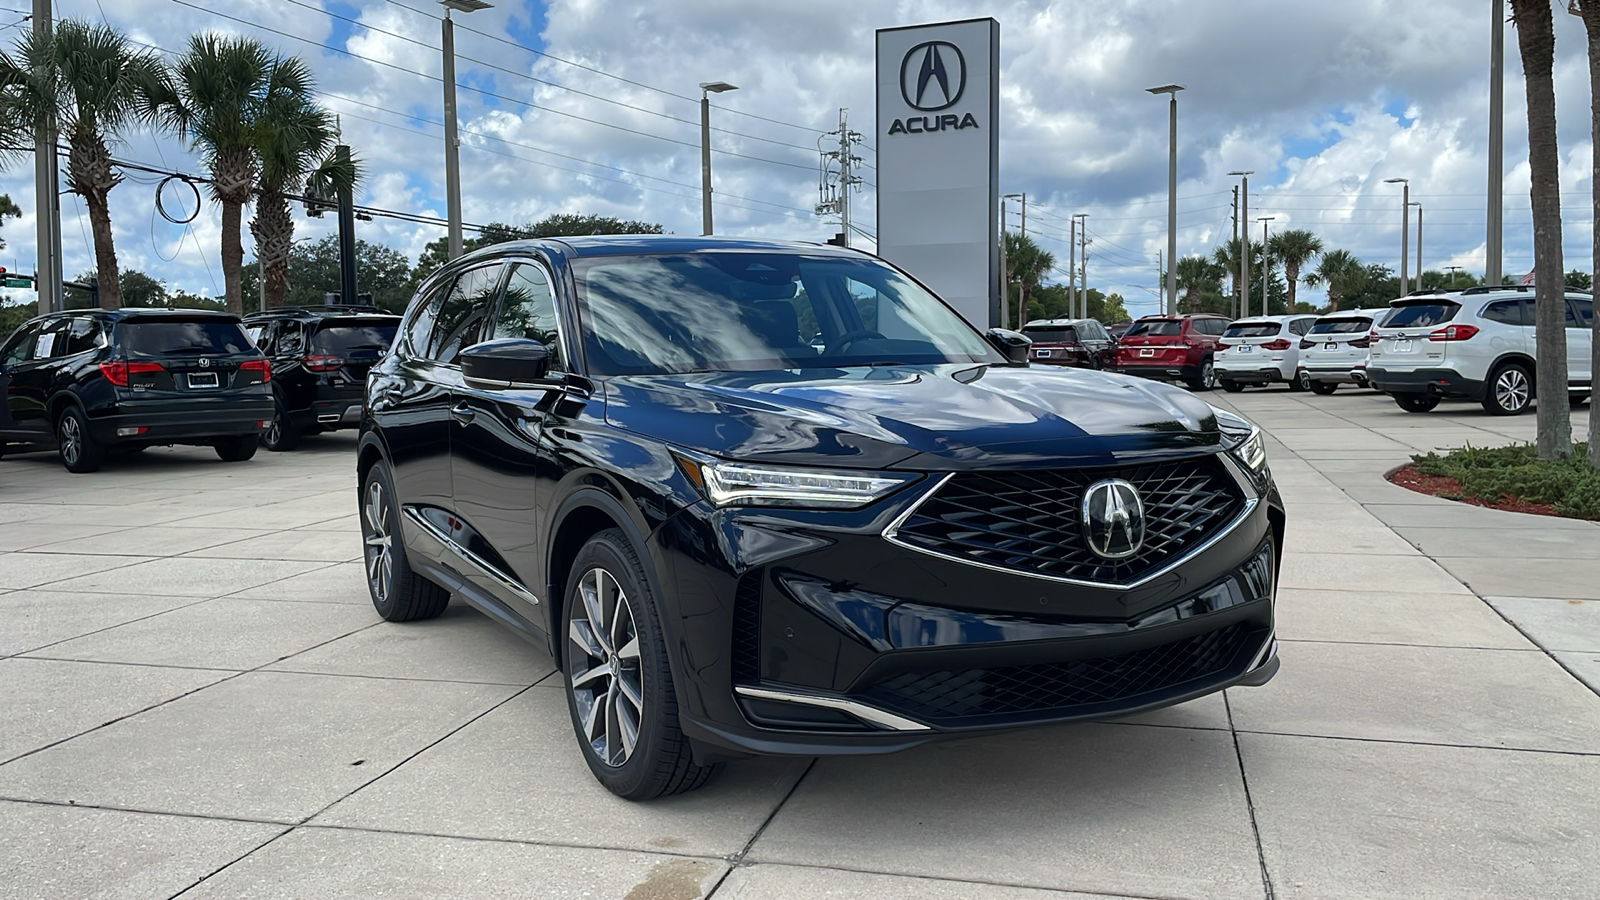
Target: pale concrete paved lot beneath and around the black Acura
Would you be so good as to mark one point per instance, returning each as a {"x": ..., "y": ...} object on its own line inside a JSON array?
[{"x": 198, "y": 699}]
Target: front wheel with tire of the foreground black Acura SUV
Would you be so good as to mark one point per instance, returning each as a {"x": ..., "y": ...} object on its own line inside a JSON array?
[{"x": 618, "y": 681}]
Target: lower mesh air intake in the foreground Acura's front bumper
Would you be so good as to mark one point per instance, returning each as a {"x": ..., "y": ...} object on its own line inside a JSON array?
[{"x": 1057, "y": 689}]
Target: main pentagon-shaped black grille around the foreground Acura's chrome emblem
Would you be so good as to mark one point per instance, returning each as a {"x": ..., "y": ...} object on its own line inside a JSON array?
[{"x": 1031, "y": 521}]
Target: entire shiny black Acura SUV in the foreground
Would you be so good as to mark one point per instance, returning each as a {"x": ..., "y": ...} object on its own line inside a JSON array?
[{"x": 735, "y": 542}]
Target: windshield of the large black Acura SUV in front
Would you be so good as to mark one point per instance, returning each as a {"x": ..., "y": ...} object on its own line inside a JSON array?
[{"x": 737, "y": 311}]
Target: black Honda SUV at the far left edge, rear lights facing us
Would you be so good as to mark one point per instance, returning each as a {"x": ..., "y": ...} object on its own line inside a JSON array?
[{"x": 102, "y": 380}]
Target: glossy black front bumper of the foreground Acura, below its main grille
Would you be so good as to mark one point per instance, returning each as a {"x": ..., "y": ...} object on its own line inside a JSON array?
[{"x": 801, "y": 638}]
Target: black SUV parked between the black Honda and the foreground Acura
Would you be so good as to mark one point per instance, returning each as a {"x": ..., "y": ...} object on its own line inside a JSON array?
[{"x": 321, "y": 356}]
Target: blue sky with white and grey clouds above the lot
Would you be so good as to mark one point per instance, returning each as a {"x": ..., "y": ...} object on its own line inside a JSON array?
[{"x": 591, "y": 106}]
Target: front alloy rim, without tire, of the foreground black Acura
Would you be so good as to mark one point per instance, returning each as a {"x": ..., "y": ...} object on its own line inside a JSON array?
[{"x": 604, "y": 669}]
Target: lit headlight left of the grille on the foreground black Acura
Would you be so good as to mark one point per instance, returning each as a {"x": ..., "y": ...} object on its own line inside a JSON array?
[{"x": 740, "y": 484}]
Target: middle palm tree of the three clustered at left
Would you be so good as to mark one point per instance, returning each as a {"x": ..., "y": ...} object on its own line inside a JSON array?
[{"x": 223, "y": 86}]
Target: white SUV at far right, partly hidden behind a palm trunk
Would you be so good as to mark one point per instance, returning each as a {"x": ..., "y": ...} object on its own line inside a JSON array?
[{"x": 1479, "y": 345}]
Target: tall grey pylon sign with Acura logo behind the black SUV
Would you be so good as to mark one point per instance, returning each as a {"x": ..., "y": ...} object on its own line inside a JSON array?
[{"x": 938, "y": 145}]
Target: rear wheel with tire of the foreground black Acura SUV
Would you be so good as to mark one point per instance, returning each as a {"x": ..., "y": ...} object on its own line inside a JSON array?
[{"x": 399, "y": 593}]
